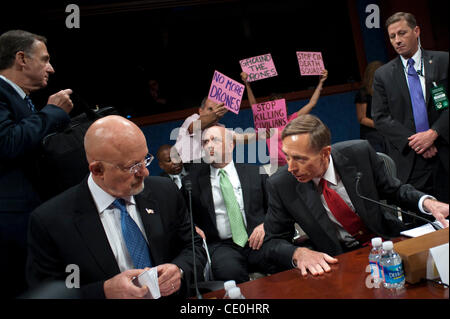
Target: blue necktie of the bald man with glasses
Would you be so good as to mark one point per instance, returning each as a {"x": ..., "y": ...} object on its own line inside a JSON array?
[{"x": 135, "y": 241}]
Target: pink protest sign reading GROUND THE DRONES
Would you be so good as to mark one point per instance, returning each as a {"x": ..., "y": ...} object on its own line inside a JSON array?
[{"x": 259, "y": 67}]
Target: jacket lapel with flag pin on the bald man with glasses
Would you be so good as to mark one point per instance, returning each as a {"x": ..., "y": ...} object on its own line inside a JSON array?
[{"x": 150, "y": 213}]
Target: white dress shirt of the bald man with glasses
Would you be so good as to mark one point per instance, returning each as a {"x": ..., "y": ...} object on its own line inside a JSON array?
[{"x": 110, "y": 218}]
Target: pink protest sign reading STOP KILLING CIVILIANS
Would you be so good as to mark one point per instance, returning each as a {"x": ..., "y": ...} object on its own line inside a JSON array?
[{"x": 270, "y": 114}]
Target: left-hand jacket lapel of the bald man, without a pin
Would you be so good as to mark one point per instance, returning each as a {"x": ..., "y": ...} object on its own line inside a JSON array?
[{"x": 90, "y": 227}]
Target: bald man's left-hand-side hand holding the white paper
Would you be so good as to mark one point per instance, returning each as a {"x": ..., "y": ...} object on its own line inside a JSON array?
[{"x": 121, "y": 287}]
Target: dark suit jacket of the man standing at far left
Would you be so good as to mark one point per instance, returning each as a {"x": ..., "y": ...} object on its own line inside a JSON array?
[{"x": 21, "y": 133}]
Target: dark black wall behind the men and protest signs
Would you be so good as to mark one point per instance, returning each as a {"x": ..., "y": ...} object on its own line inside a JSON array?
[{"x": 121, "y": 45}]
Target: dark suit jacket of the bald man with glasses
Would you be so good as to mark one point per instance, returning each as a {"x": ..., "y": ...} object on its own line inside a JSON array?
[{"x": 67, "y": 230}]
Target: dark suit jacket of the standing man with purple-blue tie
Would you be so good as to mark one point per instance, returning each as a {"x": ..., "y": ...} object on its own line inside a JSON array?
[{"x": 392, "y": 109}]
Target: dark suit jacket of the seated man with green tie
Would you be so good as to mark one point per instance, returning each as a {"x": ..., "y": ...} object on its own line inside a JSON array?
[{"x": 253, "y": 190}]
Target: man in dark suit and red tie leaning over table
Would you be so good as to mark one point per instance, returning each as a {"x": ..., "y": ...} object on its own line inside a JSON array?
[{"x": 317, "y": 190}]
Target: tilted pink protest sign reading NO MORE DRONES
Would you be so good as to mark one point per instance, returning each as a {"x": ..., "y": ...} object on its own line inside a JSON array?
[{"x": 226, "y": 90}]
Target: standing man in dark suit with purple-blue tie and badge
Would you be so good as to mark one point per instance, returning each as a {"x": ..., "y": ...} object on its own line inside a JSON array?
[{"x": 405, "y": 113}]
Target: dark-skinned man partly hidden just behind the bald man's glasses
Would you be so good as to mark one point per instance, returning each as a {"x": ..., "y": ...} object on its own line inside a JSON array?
[{"x": 171, "y": 164}]
